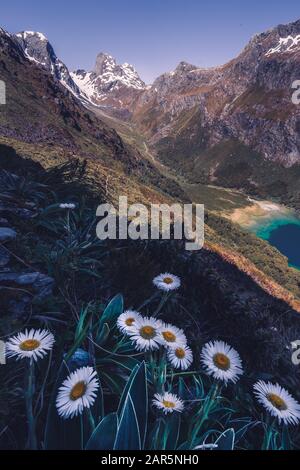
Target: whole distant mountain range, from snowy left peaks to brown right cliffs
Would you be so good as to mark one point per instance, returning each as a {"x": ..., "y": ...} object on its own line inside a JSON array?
[{"x": 201, "y": 120}]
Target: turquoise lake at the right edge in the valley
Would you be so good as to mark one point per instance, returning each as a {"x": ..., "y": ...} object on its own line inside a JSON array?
[{"x": 281, "y": 230}]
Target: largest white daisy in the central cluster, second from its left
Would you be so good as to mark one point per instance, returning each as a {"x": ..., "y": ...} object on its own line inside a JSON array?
[{"x": 145, "y": 333}]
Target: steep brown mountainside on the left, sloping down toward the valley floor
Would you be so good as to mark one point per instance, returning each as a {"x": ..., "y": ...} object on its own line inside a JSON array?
[{"x": 46, "y": 120}]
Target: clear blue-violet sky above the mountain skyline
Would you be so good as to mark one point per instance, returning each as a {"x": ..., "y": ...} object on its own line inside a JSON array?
[{"x": 152, "y": 35}]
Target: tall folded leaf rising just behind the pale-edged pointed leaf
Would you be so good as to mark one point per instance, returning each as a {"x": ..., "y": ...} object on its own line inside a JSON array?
[{"x": 136, "y": 387}]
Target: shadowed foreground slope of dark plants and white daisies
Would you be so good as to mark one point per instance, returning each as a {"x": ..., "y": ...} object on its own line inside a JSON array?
[{"x": 133, "y": 344}]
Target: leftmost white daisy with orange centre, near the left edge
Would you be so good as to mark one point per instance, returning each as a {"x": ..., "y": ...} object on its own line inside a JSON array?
[{"x": 33, "y": 344}]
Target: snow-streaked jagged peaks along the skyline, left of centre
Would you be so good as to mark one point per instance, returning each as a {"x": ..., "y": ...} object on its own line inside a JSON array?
[{"x": 109, "y": 85}]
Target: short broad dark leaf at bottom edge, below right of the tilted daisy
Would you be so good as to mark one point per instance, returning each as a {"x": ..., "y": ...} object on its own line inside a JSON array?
[{"x": 104, "y": 436}]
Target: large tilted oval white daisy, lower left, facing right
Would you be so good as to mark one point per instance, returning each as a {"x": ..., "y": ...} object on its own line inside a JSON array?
[{"x": 77, "y": 392}]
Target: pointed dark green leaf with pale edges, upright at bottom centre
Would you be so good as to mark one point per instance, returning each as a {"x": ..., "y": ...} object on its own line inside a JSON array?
[{"x": 128, "y": 436}]
